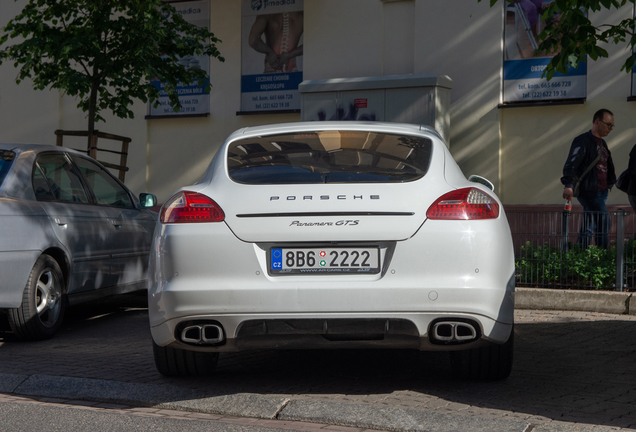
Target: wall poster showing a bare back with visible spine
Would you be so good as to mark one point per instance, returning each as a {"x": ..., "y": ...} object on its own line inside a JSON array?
[{"x": 272, "y": 53}]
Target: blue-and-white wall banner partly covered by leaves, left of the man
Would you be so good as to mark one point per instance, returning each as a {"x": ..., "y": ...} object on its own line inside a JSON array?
[{"x": 523, "y": 70}]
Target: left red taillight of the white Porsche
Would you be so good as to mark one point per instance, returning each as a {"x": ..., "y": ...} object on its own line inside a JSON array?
[{"x": 191, "y": 207}]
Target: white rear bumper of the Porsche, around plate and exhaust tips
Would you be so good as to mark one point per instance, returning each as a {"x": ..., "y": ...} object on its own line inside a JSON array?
[{"x": 208, "y": 275}]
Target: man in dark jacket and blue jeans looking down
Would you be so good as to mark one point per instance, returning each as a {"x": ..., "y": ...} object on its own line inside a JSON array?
[{"x": 589, "y": 153}]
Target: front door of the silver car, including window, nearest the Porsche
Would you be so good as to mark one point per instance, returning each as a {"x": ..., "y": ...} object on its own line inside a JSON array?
[{"x": 132, "y": 228}]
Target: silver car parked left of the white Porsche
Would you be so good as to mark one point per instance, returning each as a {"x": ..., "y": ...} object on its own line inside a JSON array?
[{"x": 69, "y": 232}]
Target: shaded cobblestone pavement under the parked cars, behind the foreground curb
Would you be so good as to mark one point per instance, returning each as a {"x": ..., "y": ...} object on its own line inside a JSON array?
[{"x": 570, "y": 367}]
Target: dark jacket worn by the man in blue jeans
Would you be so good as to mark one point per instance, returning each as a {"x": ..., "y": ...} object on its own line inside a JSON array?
[{"x": 582, "y": 154}]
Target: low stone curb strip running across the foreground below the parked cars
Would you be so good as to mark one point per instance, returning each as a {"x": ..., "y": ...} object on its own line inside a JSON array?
[{"x": 275, "y": 407}]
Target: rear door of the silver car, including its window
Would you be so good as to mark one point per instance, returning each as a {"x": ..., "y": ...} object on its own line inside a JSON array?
[{"x": 80, "y": 225}]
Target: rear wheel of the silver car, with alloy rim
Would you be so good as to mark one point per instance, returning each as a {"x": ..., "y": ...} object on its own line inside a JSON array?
[{"x": 42, "y": 310}]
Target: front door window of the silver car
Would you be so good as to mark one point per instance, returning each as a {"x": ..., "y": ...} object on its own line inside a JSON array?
[{"x": 106, "y": 189}]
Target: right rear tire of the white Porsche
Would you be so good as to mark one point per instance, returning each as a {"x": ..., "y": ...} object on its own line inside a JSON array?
[{"x": 493, "y": 362}]
